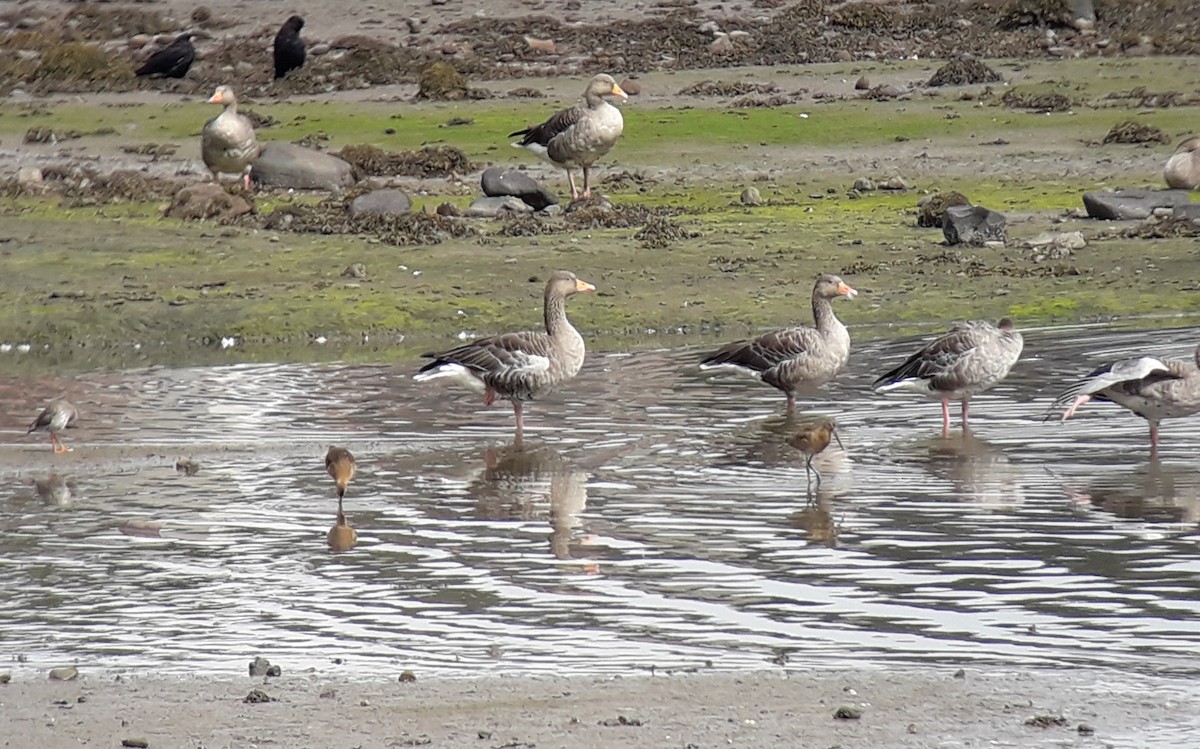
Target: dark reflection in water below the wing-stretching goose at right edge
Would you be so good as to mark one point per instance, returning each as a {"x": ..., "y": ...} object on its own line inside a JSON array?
[{"x": 1153, "y": 493}]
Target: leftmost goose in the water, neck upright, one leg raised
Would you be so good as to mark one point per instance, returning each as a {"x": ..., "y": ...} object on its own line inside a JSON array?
[{"x": 519, "y": 367}]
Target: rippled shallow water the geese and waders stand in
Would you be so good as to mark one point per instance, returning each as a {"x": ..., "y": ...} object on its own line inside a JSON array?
[{"x": 655, "y": 519}]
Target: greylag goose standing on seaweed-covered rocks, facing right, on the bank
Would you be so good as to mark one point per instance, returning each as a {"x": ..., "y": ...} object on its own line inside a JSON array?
[{"x": 579, "y": 136}]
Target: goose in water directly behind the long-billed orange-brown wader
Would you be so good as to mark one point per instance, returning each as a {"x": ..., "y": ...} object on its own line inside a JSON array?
[{"x": 796, "y": 357}]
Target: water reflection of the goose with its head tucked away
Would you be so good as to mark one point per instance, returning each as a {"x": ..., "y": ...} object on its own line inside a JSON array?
[{"x": 979, "y": 470}]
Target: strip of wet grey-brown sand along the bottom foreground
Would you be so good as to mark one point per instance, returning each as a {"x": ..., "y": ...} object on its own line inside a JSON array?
[{"x": 928, "y": 708}]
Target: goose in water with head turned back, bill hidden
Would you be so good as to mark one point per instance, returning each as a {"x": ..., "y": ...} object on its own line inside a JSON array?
[{"x": 965, "y": 362}]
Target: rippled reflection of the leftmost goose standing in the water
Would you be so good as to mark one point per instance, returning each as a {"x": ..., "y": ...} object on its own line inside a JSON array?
[{"x": 537, "y": 484}]
